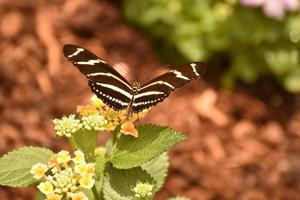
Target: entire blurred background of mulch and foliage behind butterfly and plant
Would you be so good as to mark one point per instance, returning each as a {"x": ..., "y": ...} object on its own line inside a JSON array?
[{"x": 242, "y": 118}]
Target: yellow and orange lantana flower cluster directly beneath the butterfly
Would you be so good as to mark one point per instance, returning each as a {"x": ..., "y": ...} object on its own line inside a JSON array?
[{"x": 96, "y": 116}]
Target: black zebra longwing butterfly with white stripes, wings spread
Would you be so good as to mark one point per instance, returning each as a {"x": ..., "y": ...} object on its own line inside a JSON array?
[{"x": 115, "y": 91}]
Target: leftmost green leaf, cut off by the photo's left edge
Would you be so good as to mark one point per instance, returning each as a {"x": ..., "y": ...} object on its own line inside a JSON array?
[{"x": 15, "y": 166}]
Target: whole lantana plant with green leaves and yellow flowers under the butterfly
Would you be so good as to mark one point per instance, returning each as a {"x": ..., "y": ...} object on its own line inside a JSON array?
[{"x": 126, "y": 168}]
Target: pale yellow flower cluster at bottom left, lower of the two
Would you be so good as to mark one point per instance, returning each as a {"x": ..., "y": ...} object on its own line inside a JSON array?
[{"x": 64, "y": 177}]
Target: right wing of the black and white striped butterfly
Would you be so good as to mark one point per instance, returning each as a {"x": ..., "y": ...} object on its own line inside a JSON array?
[{"x": 159, "y": 88}]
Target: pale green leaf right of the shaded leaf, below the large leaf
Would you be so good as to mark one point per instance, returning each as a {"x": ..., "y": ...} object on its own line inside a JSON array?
[{"x": 158, "y": 169}]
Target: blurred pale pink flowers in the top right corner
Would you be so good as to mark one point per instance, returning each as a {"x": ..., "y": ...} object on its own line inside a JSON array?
[{"x": 274, "y": 8}]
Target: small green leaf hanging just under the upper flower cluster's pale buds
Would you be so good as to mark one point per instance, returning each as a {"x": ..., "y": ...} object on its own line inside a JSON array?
[{"x": 85, "y": 141}]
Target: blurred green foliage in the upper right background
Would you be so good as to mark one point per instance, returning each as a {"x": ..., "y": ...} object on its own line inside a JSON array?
[{"x": 192, "y": 30}]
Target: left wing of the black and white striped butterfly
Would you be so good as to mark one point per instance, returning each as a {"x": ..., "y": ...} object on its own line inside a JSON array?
[{"x": 111, "y": 87}]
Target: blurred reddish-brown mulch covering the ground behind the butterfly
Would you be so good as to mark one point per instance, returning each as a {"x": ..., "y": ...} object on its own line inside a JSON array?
[{"x": 243, "y": 144}]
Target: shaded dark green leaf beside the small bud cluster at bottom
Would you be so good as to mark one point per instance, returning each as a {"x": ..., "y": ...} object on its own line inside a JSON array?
[{"x": 118, "y": 183}]
